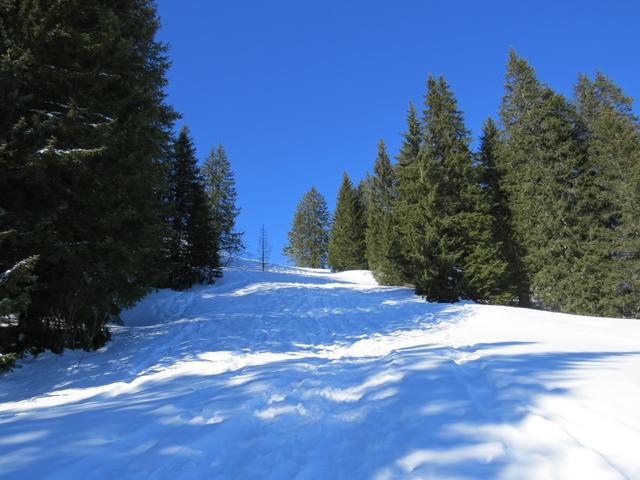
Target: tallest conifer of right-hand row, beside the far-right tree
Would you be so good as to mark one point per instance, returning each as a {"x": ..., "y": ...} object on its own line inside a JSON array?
[{"x": 546, "y": 184}]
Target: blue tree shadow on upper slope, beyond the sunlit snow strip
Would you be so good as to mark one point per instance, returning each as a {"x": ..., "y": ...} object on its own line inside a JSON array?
[{"x": 307, "y": 317}]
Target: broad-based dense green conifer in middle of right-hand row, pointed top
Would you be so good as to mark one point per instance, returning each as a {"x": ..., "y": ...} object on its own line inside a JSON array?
[{"x": 444, "y": 225}]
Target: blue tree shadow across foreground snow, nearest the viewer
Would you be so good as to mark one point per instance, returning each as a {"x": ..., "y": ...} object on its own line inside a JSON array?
[{"x": 426, "y": 411}]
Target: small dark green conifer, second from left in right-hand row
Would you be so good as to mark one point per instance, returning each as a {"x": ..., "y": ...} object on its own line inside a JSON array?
[{"x": 347, "y": 240}]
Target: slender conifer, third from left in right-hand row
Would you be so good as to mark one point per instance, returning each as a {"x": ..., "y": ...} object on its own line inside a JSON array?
[{"x": 381, "y": 239}]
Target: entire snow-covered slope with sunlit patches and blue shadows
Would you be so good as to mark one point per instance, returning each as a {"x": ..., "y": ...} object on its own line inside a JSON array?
[{"x": 298, "y": 373}]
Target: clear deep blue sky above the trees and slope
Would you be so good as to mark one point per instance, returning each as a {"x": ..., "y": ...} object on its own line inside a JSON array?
[{"x": 300, "y": 91}]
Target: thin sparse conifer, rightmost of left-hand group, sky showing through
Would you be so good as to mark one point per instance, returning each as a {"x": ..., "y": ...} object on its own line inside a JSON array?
[{"x": 221, "y": 190}]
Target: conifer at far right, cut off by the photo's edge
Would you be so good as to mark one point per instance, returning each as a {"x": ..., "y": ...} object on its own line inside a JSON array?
[{"x": 612, "y": 140}]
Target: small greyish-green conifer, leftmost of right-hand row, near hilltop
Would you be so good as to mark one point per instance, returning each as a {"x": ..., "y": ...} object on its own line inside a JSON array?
[{"x": 309, "y": 234}]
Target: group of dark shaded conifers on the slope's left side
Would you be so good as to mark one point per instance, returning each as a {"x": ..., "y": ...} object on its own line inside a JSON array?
[{"x": 98, "y": 201}]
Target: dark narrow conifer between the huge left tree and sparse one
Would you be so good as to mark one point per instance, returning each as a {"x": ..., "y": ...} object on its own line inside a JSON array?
[{"x": 194, "y": 254}]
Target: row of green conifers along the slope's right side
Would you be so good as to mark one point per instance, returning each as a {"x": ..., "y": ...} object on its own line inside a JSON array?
[{"x": 542, "y": 214}]
